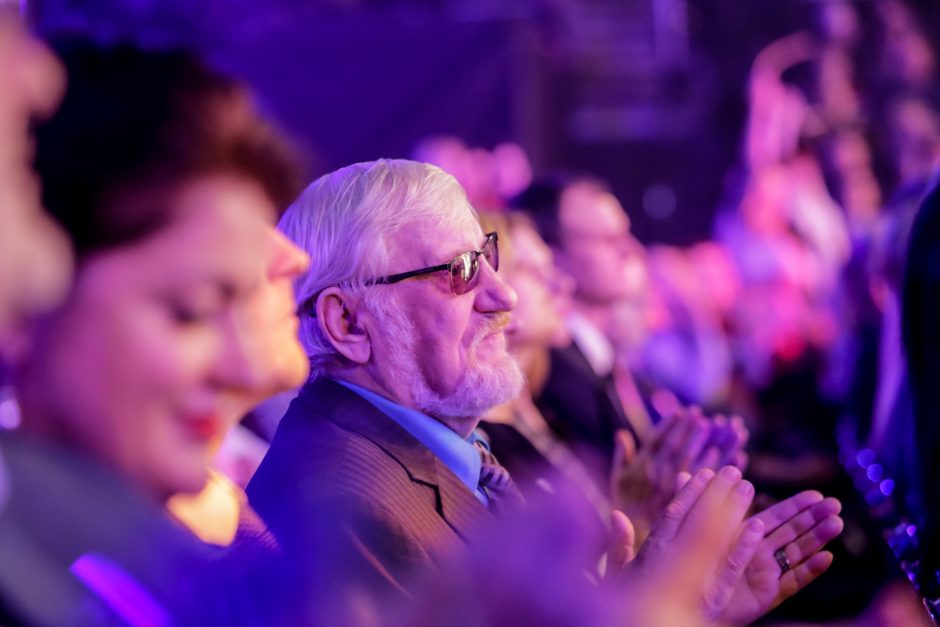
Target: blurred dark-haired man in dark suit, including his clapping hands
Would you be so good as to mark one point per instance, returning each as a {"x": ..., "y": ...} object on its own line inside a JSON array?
[{"x": 589, "y": 234}]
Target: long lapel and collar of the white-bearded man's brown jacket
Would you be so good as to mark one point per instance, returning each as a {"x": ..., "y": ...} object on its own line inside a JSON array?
[{"x": 456, "y": 504}]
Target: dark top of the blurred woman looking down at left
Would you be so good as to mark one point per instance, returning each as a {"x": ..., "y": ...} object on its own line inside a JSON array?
[{"x": 81, "y": 546}]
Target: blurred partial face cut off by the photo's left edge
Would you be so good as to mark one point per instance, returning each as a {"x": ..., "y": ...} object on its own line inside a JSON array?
[{"x": 34, "y": 254}]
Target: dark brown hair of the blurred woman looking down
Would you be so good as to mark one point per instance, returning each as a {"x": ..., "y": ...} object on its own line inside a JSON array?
[{"x": 135, "y": 125}]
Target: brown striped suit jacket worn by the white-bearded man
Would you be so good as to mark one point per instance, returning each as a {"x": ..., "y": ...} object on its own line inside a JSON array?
[{"x": 347, "y": 490}]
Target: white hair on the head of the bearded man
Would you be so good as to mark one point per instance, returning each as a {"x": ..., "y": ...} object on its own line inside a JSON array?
[{"x": 347, "y": 220}]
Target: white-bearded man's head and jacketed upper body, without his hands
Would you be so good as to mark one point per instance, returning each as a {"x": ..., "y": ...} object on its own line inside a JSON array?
[{"x": 402, "y": 316}]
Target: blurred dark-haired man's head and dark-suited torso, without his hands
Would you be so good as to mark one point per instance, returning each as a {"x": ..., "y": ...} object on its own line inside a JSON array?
[{"x": 590, "y": 236}]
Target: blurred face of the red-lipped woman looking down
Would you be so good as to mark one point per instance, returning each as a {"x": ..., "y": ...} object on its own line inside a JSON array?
[{"x": 140, "y": 364}]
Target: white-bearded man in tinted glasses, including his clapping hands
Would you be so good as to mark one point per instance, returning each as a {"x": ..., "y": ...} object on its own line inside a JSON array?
[{"x": 408, "y": 350}]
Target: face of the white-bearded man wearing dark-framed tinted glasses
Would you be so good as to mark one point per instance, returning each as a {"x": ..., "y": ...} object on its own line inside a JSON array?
[{"x": 444, "y": 354}]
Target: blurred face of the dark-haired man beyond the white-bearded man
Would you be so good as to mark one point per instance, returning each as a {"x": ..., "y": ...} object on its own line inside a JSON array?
[{"x": 597, "y": 249}]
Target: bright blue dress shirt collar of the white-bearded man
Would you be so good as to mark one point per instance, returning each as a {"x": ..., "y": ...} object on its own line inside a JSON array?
[{"x": 459, "y": 455}]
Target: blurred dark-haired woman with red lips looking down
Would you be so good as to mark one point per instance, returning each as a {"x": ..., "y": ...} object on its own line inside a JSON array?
[{"x": 166, "y": 183}]
